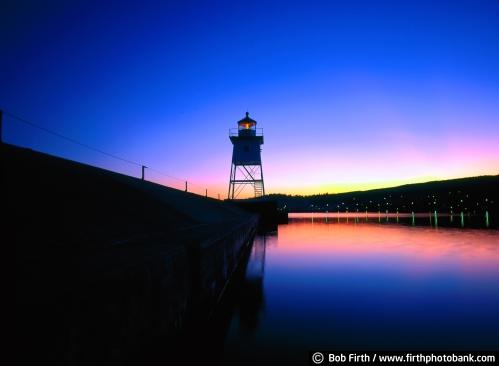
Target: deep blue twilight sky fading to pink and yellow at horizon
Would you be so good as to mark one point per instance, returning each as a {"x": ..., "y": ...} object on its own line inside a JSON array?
[{"x": 351, "y": 94}]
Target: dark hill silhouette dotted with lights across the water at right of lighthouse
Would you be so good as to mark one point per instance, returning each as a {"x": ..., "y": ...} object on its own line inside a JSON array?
[{"x": 473, "y": 195}]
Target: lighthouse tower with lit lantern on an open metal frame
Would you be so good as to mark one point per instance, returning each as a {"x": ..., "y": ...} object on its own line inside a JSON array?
[{"x": 246, "y": 167}]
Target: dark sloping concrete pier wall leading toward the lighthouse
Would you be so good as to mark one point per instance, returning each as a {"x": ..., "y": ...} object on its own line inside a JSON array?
[{"x": 108, "y": 266}]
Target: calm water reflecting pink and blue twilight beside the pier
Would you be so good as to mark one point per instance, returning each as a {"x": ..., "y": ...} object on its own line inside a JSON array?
[{"x": 323, "y": 284}]
